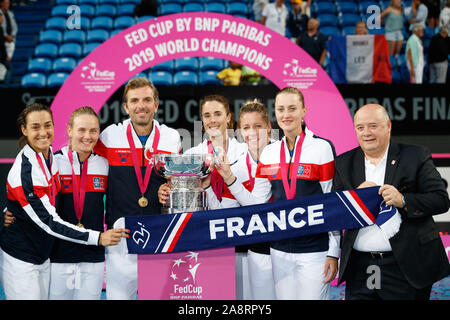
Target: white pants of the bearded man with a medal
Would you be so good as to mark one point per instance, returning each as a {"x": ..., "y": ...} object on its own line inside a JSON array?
[{"x": 121, "y": 270}]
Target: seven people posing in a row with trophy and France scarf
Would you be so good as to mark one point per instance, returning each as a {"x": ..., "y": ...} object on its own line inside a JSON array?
[{"x": 52, "y": 242}]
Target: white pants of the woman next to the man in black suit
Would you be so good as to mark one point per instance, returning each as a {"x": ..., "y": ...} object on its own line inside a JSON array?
[{"x": 299, "y": 276}]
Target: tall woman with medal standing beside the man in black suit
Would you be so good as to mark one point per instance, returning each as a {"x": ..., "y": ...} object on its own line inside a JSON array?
[{"x": 300, "y": 164}]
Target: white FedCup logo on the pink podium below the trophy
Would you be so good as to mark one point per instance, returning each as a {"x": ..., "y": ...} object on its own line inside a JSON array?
[{"x": 183, "y": 276}]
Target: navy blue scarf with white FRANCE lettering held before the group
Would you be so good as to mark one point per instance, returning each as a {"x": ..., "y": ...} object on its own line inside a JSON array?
[{"x": 192, "y": 231}]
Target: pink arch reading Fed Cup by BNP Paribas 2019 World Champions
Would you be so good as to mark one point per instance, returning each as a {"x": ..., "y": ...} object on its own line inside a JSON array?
[{"x": 201, "y": 34}]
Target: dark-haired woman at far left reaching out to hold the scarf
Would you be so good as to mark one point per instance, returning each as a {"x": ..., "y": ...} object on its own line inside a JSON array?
[{"x": 32, "y": 185}]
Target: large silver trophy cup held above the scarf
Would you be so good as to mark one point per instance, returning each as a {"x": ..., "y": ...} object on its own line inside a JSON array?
[{"x": 184, "y": 174}]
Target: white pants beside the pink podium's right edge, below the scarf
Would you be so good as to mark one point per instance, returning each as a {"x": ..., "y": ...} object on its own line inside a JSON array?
[{"x": 262, "y": 286}]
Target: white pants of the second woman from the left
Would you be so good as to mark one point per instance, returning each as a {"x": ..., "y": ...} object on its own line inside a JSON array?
[{"x": 76, "y": 281}]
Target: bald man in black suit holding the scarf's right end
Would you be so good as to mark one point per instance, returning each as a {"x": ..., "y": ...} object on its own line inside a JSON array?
[{"x": 406, "y": 265}]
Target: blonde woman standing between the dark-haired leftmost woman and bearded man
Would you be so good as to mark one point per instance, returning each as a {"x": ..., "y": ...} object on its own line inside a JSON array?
[{"x": 77, "y": 271}]
